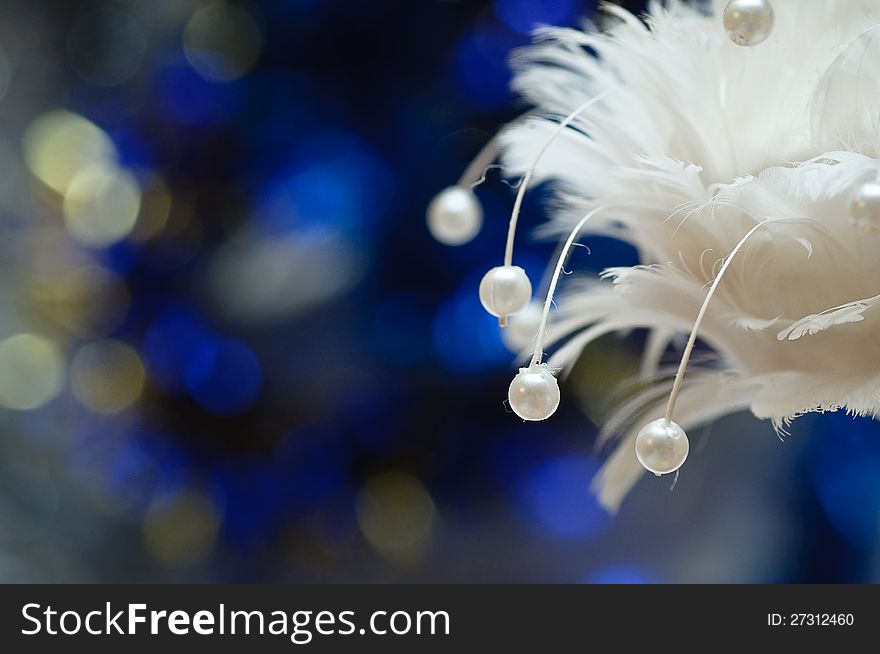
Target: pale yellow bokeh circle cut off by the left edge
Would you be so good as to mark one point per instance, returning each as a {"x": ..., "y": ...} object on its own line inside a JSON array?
[{"x": 31, "y": 371}]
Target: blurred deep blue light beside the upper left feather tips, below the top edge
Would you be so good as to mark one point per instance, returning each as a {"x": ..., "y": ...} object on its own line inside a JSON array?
[{"x": 481, "y": 63}]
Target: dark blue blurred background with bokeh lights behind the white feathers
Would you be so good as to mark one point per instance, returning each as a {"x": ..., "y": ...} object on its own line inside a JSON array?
[{"x": 230, "y": 351}]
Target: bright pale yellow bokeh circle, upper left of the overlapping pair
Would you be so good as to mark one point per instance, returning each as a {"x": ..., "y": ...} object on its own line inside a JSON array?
[{"x": 59, "y": 144}]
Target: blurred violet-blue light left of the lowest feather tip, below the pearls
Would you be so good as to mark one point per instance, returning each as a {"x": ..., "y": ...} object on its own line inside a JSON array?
[{"x": 556, "y": 494}]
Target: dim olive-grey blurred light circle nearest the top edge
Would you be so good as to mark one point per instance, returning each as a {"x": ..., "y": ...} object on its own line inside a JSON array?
[{"x": 222, "y": 42}]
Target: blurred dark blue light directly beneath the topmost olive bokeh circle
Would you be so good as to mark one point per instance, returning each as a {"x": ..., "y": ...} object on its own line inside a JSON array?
[{"x": 186, "y": 97}]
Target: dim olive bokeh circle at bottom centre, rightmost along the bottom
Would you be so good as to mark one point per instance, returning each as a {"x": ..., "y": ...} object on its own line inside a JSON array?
[{"x": 396, "y": 514}]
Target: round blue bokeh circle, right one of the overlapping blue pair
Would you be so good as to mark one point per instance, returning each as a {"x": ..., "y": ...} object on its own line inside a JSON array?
[{"x": 224, "y": 377}]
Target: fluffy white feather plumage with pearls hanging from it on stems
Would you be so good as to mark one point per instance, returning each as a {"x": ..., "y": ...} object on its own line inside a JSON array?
[{"x": 697, "y": 141}]
